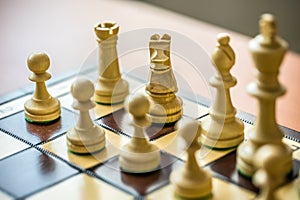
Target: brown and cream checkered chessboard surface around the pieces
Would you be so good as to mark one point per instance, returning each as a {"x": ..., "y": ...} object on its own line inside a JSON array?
[{"x": 35, "y": 162}]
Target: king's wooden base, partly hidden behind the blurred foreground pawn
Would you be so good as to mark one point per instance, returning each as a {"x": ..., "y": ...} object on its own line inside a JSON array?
[{"x": 246, "y": 152}]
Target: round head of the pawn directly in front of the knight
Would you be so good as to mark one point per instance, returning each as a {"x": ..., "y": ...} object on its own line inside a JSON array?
[{"x": 139, "y": 106}]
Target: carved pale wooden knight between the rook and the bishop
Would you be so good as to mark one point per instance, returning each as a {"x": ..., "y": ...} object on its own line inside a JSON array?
[{"x": 165, "y": 106}]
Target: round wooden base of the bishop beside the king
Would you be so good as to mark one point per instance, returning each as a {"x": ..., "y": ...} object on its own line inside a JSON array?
[{"x": 222, "y": 136}]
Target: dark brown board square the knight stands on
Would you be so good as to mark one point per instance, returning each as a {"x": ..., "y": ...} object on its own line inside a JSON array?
[{"x": 119, "y": 122}]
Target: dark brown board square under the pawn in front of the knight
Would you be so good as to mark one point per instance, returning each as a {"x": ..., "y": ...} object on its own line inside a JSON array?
[{"x": 135, "y": 183}]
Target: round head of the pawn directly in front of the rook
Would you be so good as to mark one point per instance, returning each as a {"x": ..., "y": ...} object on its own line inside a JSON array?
[{"x": 82, "y": 89}]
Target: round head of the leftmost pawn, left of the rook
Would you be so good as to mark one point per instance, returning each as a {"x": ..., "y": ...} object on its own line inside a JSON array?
[{"x": 38, "y": 62}]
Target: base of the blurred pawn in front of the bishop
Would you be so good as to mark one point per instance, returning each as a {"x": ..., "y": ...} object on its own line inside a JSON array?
[{"x": 186, "y": 188}]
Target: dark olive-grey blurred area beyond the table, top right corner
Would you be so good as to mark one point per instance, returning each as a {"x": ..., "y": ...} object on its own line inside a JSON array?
[{"x": 242, "y": 15}]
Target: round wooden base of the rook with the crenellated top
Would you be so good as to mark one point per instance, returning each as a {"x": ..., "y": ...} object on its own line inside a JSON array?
[{"x": 111, "y": 92}]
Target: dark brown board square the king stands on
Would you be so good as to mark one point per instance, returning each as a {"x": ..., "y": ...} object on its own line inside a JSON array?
[{"x": 225, "y": 169}]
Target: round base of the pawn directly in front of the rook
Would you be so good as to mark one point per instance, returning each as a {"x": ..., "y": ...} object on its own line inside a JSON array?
[{"x": 86, "y": 143}]
